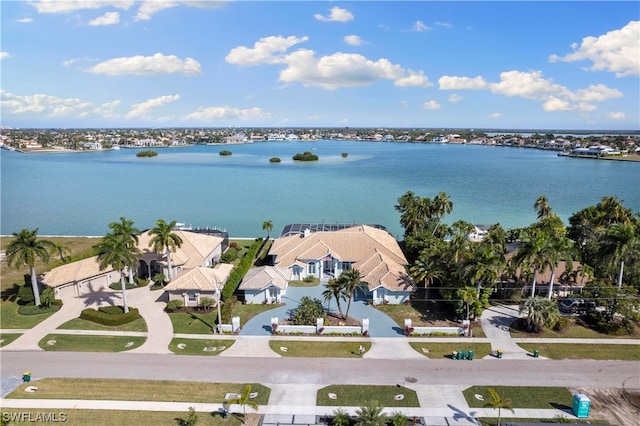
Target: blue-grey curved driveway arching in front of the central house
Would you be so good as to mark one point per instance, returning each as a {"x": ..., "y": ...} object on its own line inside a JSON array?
[{"x": 380, "y": 324}]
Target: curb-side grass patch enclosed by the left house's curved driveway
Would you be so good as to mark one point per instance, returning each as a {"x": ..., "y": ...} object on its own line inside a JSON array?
[{"x": 86, "y": 343}]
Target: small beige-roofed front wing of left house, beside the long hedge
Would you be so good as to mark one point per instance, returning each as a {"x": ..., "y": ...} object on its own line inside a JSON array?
[{"x": 198, "y": 283}]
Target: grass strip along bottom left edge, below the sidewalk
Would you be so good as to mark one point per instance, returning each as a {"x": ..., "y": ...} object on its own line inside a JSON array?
[{"x": 124, "y": 417}]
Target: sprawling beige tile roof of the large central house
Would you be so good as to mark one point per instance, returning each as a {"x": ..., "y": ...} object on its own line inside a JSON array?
[{"x": 375, "y": 253}]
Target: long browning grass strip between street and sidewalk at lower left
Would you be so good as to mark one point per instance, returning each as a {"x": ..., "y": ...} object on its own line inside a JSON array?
[{"x": 136, "y": 390}]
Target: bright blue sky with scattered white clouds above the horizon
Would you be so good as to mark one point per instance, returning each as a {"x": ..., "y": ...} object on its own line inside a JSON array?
[{"x": 534, "y": 65}]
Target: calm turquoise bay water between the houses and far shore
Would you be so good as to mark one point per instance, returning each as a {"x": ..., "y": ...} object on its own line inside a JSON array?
[{"x": 80, "y": 193}]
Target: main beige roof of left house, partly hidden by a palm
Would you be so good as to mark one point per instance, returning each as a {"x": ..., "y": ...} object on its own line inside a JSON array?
[{"x": 195, "y": 248}]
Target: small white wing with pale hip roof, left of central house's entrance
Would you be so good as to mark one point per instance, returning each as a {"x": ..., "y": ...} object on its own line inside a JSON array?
[{"x": 265, "y": 284}]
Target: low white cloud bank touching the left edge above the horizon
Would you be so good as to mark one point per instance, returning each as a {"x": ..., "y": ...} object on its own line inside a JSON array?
[{"x": 52, "y": 106}]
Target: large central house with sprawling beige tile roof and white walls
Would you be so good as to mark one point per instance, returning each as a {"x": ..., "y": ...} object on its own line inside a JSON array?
[{"x": 325, "y": 254}]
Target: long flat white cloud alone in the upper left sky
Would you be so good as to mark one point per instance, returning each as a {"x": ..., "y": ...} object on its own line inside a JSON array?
[{"x": 147, "y": 65}]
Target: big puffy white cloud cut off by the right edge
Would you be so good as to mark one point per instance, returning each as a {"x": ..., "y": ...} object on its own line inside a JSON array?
[{"x": 617, "y": 51}]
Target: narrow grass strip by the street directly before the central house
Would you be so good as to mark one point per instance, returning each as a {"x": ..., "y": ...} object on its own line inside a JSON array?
[{"x": 318, "y": 349}]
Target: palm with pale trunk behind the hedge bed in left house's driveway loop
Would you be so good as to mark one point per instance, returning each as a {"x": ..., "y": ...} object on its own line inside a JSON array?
[{"x": 116, "y": 250}]
